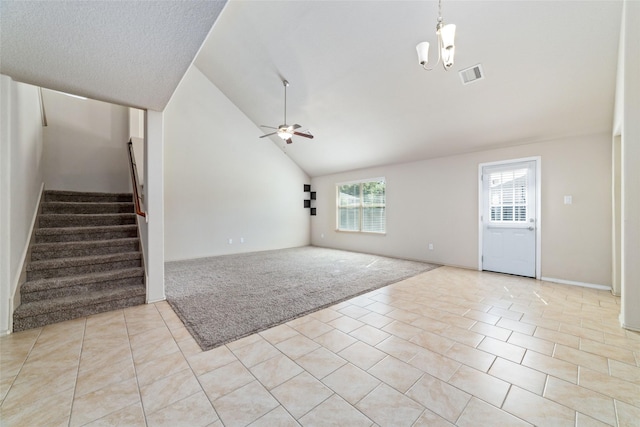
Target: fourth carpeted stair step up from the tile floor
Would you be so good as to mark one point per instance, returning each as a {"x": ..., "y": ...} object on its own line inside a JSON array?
[{"x": 44, "y": 251}]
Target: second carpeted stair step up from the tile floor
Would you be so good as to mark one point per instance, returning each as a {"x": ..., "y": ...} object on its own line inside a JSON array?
[{"x": 44, "y": 289}]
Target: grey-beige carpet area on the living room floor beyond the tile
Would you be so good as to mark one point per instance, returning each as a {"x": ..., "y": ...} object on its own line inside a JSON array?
[{"x": 221, "y": 299}]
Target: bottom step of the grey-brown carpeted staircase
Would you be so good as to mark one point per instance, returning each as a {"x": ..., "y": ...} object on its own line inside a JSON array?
[{"x": 40, "y": 313}]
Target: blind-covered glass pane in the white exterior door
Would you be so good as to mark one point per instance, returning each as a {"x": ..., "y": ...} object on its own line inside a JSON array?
[{"x": 508, "y": 195}]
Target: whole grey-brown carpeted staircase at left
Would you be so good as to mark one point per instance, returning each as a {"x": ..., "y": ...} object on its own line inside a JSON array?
[{"x": 86, "y": 259}]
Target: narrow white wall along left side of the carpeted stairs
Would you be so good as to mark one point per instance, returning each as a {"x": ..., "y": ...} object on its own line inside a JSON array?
[{"x": 21, "y": 179}]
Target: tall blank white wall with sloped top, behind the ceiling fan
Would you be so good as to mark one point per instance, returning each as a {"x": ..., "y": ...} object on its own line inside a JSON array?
[{"x": 223, "y": 182}]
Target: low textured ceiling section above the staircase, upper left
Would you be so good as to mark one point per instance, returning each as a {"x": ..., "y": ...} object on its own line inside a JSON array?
[{"x": 132, "y": 53}]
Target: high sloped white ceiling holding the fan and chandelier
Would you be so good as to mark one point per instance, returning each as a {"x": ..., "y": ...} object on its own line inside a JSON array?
[{"x": 355, "y": 83}]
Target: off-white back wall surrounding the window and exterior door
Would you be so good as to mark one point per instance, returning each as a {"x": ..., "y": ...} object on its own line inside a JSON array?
[{"x": 436, "y": 201}]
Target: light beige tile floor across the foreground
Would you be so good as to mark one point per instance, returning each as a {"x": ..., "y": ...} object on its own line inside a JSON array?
[{"x": 447, "y": 347}]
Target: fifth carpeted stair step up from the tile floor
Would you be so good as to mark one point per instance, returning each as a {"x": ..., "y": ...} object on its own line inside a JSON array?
[{"x": 74, "y": 234}]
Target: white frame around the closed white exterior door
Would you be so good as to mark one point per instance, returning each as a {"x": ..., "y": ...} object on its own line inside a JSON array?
[{"x": 538, "y": 168}]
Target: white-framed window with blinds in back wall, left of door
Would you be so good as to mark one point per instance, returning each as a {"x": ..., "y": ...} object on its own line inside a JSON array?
[{"x": 362, "y": 206}]
